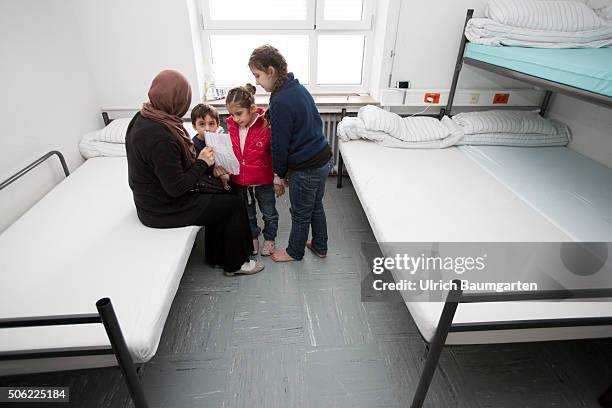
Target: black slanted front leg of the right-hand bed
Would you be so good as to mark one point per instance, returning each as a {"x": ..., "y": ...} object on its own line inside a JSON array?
[{"x": 437, "y": 344}]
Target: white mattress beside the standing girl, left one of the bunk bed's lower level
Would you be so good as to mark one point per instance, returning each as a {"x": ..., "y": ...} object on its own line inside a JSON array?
[{"x": 443, "y": 196}]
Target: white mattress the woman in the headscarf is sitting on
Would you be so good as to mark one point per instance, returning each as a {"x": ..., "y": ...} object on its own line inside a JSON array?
[{"x": 82, "y": 242}]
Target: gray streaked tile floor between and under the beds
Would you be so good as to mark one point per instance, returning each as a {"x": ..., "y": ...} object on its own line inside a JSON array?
[{"x": 297, "y": 335}]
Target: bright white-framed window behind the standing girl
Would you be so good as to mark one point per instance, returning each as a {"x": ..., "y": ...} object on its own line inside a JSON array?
[{"x": 325, "y": 42}]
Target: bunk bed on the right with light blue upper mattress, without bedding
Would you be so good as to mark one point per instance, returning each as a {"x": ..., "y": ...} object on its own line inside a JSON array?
[{"x": 490, "y": 194}]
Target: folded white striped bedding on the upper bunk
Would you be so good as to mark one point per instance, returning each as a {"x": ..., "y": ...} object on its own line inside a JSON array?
[{"x": 540, "y": 24}]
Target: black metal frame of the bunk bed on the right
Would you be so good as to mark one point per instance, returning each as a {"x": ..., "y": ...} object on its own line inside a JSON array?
[{"x": 455, "y": 297}]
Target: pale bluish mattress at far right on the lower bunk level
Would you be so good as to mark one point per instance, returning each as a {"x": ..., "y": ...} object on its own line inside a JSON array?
[{"x": 570, "y": 190}]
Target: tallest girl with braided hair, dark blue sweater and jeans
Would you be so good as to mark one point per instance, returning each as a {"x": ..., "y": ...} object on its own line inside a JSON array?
[{"x": 300, "y": 152}]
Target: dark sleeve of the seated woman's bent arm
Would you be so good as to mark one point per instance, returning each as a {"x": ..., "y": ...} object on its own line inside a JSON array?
[{"x": 166, "y": 158}]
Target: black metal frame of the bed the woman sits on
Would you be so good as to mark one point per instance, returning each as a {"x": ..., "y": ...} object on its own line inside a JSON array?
[{"x": 106, "y": 316}]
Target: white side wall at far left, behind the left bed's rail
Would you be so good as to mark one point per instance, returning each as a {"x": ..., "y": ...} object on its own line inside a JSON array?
[{"x": 47, "y": 101}]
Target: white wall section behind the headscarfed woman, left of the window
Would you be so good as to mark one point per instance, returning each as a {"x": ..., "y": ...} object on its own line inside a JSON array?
[{"x": 129, "y": 42}]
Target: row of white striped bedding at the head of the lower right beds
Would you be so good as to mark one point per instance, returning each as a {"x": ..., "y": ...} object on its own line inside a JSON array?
[{"x": 502, "y": 128}]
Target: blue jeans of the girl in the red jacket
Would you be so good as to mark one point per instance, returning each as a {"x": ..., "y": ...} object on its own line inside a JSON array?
[{"x": 264, "y": 195}]
